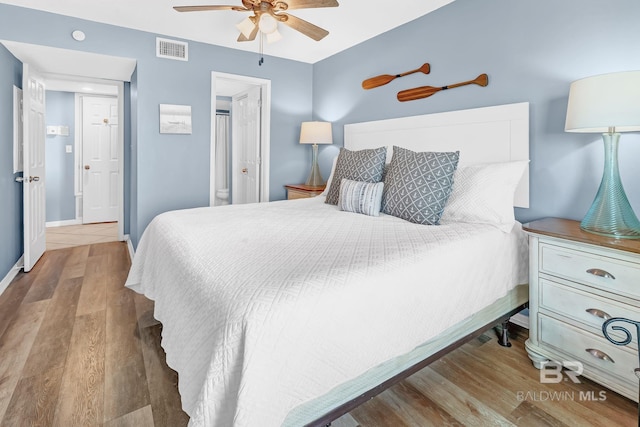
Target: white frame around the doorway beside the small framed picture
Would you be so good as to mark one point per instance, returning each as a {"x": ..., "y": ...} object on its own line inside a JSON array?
[{"x": 265, "y": 134}]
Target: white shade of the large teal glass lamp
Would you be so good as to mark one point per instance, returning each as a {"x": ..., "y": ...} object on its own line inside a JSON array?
[{"x": 600, "y": 102}]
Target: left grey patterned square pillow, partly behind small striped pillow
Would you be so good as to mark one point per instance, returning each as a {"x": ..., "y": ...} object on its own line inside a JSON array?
[{"x": 363, "y": 165}]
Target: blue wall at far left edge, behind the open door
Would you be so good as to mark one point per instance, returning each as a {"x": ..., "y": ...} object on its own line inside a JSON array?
[{"x": 10, "y": 190}]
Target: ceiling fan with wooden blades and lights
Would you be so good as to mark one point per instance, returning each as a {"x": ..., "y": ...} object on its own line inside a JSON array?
[{"x": 267, "y": 14}]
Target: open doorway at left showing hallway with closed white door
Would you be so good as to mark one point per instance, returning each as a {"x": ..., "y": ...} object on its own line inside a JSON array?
[{"x": 82, "y": 158}]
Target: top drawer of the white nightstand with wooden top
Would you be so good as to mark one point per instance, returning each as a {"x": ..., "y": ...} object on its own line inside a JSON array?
[{"x": 609, "y": 274}]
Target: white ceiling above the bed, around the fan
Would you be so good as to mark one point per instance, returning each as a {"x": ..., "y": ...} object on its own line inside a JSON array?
[{"x": 349, "y": 24}]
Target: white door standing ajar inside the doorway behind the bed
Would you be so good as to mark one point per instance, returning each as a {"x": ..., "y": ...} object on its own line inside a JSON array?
[{"x": 245, "y": 141}]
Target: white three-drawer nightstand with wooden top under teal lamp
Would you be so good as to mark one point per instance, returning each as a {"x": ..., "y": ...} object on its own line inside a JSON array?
[{"x": 577, "y": 280}]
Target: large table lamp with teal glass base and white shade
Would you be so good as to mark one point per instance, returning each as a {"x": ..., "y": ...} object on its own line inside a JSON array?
[{"x": 607, "y": 104}]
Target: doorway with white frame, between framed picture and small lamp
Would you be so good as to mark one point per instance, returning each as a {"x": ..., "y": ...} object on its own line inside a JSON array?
[{"x": 240, "y": 139}]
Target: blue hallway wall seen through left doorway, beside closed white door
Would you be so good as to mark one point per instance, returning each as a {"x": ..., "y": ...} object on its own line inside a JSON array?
[{"x": 61, "y": 201}]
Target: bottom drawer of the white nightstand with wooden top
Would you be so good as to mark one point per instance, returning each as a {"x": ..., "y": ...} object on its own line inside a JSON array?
[{"x": 575, "y": 342}]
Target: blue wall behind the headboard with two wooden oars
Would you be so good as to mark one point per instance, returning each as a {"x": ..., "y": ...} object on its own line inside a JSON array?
[{"x": 532, "y": 51}]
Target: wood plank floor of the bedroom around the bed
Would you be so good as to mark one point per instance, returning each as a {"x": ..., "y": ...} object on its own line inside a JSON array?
[{"x": 79, "y": 349}]
